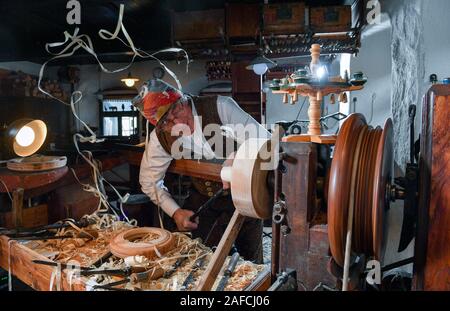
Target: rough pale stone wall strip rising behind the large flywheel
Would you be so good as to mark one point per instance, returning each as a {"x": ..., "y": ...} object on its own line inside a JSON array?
[{"x": 408, "y": 70}]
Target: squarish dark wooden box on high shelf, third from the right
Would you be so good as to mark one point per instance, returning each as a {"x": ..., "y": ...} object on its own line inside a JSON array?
[{"x": 243, "y": 20}]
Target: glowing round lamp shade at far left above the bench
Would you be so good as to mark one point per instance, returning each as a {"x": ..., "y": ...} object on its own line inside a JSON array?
[{"x": 26, "y": 136}]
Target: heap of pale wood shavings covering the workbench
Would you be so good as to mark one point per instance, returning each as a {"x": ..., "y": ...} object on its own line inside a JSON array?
[{"x": 85, "y": 253}]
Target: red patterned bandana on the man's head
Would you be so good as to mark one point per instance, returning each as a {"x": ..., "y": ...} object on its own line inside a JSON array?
[{"x": 155, "y": 99}]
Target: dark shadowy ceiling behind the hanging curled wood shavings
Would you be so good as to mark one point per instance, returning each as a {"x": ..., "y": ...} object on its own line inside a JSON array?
[{"x": 26, "y": 26}]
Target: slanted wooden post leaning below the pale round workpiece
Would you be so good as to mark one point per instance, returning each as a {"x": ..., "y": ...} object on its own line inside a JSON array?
[{"x": 221, "y": 253}]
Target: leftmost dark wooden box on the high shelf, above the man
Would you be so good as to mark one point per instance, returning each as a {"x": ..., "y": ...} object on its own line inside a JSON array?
[{"x": 198, "y": 25}]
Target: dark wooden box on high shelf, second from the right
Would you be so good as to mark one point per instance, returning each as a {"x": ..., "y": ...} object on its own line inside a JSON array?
[{"x": 284, "y": 18}]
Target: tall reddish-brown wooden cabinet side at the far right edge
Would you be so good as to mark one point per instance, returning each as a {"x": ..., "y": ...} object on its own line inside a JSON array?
[{"x": 432, "y": 253}]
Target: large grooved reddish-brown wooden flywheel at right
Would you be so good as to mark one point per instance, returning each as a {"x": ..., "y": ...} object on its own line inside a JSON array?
[{"x": 360, "y": 175}]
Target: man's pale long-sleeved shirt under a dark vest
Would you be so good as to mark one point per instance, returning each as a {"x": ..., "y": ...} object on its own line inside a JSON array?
[{"x": 156, "y": 160}]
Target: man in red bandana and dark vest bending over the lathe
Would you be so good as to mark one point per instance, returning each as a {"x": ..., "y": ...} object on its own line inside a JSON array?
[{"x": 167, "y": 109}]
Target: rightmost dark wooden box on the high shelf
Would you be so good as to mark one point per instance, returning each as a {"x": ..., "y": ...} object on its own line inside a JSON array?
[{"x": 331, "y": 19}]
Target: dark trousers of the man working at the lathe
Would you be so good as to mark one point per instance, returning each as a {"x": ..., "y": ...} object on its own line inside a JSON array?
[{"x": 214, "y": 221}]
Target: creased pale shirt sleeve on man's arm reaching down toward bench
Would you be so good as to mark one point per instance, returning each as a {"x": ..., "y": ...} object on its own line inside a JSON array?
[{"x": 154, "y": 164}]
